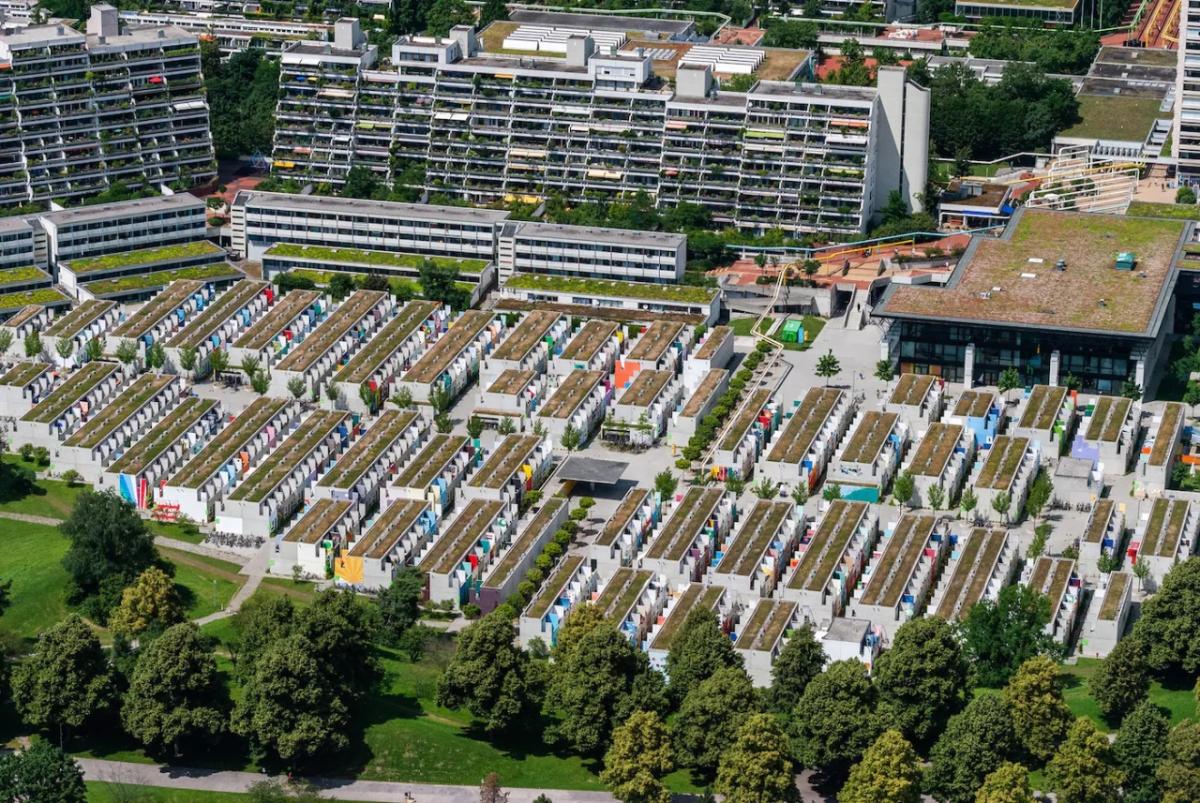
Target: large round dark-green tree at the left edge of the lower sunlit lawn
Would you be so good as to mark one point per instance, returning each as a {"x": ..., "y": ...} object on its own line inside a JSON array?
[{"x": 290, "y": 709}]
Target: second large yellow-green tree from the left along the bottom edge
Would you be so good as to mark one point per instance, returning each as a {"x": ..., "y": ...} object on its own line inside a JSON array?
[{"x": 758, "y": 768}]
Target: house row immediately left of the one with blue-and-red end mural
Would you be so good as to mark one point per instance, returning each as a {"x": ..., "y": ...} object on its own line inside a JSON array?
[{"x": 134, "y": 411}]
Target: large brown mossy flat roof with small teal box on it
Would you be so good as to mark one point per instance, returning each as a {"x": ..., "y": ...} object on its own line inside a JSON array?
[{"x": 1133, "y": 302}]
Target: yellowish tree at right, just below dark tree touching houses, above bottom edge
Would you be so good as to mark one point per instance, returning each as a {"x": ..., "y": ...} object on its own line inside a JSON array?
[{"x": 1041, "y": 717}]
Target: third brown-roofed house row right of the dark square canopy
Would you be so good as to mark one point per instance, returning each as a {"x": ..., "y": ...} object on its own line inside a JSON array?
[{"x": 760, "y": 550}]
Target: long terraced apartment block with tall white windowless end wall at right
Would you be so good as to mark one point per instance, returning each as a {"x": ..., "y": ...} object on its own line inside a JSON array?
[{"x": 489, "y": 128}]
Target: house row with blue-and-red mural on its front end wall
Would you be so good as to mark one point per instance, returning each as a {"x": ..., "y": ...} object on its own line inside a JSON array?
[{"x": 140, "y": 469}]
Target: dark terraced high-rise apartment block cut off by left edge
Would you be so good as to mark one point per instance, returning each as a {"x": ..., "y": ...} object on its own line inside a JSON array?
[{"x": 80, "y": 112}]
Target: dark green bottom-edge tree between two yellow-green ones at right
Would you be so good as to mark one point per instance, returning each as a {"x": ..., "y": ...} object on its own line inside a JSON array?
[{"x": 976, "y": 742}]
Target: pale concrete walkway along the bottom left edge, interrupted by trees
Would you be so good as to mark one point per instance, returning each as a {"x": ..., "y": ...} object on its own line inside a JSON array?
[{"x": 142, "y": 775}]
